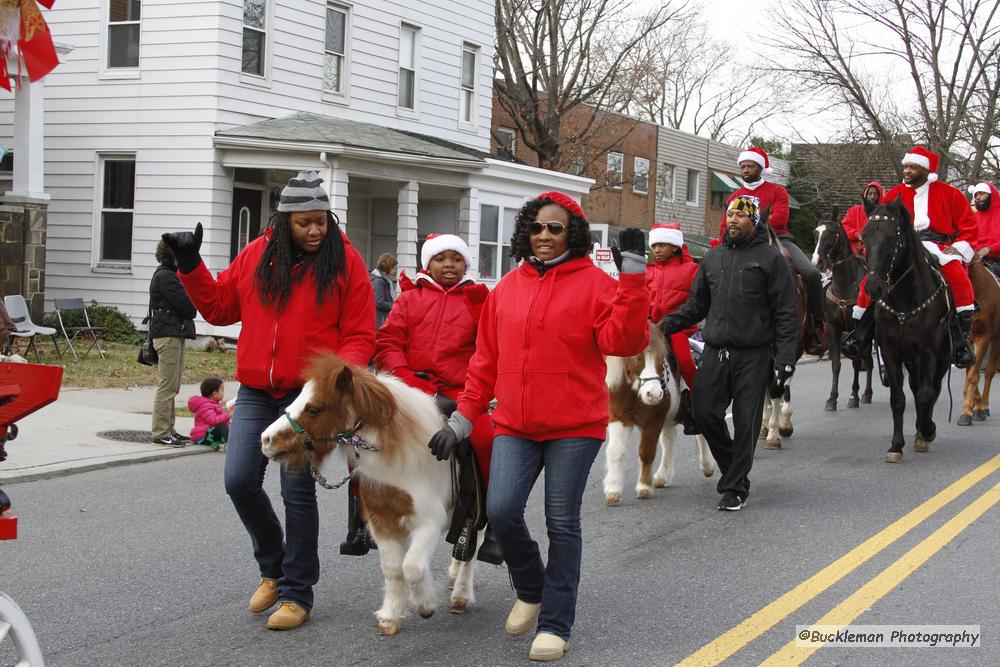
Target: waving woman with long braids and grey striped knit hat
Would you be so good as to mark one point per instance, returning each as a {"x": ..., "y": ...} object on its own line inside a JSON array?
[{"x": 299, "y": 289}]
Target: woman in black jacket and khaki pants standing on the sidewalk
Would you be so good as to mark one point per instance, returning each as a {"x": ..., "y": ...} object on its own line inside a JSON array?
[{"x": 171, "y": 322}]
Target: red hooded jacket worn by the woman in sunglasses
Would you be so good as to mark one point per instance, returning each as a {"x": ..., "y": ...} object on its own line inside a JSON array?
[{"x": 541, "y": 346}]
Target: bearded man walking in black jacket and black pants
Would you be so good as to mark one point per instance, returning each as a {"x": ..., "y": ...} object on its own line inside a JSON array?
[{"x": 745, "y": 293}]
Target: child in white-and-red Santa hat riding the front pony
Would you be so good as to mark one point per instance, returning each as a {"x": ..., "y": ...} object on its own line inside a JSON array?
[{"x": 430, "y": 335}]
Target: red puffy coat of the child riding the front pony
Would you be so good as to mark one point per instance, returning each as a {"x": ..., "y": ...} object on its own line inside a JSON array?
[{"x": 430, "y": 329}]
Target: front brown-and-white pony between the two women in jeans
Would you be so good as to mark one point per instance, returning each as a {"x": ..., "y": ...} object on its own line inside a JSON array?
[{"x": 406, "y": 494}]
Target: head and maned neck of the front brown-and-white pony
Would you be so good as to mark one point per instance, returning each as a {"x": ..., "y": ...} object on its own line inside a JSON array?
[{"x": 337, "y": 398}]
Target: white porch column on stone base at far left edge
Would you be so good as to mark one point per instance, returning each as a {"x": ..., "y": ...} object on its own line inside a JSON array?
[{"x": 29, "y": 140}]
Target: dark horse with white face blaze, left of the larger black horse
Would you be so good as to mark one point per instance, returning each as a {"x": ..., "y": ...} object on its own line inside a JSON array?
[{"x": 833, "y": 253}]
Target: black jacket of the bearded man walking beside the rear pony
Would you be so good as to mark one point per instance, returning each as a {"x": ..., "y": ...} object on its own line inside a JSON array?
[{"x": 745, "y": 293}]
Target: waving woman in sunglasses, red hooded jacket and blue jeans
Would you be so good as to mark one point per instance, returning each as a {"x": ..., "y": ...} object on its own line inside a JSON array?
[{"x": 543, "y": 335}]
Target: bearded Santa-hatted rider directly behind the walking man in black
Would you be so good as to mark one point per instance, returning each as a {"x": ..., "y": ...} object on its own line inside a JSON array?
[{"x": 754, "y": 167}]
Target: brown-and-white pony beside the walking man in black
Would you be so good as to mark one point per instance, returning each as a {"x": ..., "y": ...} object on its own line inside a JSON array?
[{"x": 644, "y": 397}]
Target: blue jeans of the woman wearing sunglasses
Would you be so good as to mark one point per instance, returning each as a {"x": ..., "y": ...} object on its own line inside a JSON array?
[{"x": 515, "y": 467}]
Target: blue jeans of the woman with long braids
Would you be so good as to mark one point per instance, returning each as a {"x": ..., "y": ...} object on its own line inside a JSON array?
[{"x": 293, "y": 559}]
